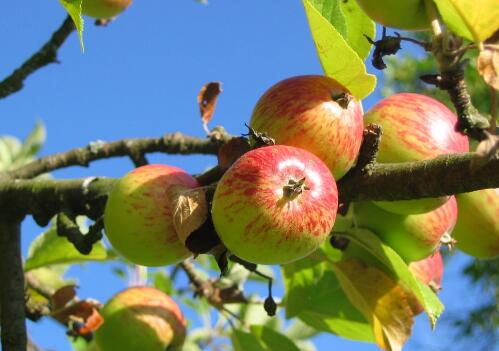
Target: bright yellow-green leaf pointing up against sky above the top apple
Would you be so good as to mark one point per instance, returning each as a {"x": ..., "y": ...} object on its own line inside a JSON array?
[{"x": 338, "y": 59}]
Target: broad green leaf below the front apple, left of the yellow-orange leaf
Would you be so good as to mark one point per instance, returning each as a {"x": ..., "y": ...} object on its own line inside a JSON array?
[{"x": 314, "y": 294}]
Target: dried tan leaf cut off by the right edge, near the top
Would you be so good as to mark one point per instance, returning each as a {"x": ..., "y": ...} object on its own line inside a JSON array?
[{"x": 488, "y": 61}]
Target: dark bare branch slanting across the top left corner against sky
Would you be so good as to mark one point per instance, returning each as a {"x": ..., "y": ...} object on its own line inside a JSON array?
[{"x": 46, "y": 55}]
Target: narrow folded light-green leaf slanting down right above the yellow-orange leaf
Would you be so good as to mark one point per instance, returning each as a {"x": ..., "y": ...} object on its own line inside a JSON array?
[{"x": 399, "y": 270}]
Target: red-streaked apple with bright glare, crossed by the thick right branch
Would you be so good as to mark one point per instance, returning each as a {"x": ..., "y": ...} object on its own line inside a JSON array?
[{"x": 415, "y": 128}]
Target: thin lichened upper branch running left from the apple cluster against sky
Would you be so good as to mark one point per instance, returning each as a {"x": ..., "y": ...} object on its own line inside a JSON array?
[{"x": 176, "y": 143}]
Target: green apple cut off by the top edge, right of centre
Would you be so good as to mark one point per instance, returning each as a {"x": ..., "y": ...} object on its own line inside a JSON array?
[{"x": 402, "y": 14}]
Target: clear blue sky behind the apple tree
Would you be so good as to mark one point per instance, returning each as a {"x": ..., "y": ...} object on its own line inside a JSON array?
[{"x": 140, "y": 77}]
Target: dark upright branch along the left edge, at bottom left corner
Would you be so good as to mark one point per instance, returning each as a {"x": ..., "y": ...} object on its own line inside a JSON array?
[{"x": 12, "y": 321}]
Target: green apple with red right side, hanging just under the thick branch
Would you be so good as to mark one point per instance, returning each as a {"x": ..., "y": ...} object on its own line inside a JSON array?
[{"x": 413, "y": 237}]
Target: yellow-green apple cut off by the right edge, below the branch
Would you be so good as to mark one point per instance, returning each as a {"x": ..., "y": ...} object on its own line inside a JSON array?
[{"x": 477, "y": 227}]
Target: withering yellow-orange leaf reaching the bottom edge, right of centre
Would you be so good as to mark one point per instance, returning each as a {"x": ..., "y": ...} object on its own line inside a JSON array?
[{"x": 381, "y": 300}]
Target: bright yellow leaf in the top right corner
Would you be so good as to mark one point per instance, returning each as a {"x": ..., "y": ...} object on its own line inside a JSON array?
[{"x": 481, "y": 18}]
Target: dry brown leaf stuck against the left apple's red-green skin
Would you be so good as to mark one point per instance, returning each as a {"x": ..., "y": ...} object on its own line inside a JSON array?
[{"x": 190, "y": 210}]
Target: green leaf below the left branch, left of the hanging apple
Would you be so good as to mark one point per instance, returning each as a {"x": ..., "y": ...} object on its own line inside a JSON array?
[{"x": 48, "y": 249}]
